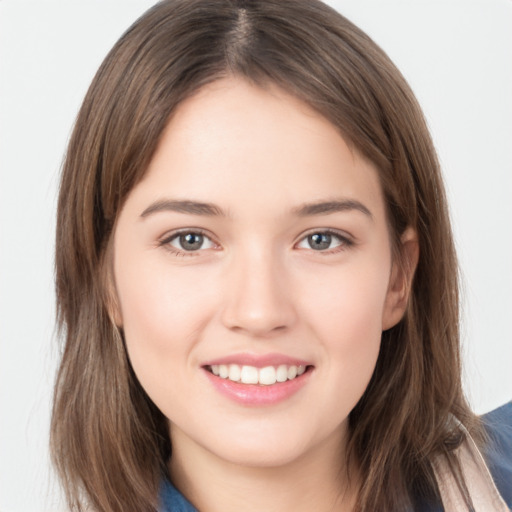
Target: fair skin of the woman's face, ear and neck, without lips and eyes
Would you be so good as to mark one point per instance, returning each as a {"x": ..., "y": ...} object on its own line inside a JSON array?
[{"x": 256, "y": 286}]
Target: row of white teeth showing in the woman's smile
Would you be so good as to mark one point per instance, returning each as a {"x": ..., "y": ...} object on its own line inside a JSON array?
[{"x": 266, "y": 376}]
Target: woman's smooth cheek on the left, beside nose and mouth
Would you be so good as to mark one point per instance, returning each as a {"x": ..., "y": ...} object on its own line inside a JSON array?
[{"x": 162, "y": 308}]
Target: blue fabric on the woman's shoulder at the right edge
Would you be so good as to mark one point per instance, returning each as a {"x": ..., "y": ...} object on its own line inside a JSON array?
[{"x": 498, "y": 450}]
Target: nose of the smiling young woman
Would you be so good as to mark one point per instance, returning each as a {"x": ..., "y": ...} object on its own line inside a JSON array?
[{"x": 258, "y": 300}]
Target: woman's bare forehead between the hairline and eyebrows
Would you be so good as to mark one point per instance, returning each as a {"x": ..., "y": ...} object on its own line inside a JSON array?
[{"x": 249, "y": 148}]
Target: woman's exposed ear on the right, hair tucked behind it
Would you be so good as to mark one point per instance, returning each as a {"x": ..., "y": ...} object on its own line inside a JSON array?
[{"x": 400, "y": 283}]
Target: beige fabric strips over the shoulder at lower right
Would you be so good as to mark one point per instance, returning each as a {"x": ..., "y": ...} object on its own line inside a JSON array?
[{"x": 481, "y": 488}]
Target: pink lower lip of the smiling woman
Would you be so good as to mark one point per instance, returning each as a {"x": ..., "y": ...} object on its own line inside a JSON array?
[{"x": 255, "y": 394}]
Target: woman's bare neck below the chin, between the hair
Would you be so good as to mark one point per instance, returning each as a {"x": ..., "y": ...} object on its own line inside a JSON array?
[{"x": 318, "y": 481}]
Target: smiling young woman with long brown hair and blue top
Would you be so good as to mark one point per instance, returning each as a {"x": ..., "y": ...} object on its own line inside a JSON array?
[{"x": 257, "y": 280}]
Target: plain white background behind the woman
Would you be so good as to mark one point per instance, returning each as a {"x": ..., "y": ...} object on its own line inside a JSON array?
[{"x": 457, "y": 55}]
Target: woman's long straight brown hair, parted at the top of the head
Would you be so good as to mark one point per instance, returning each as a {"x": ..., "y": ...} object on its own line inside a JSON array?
[{"x": 109, "y": 442}]
